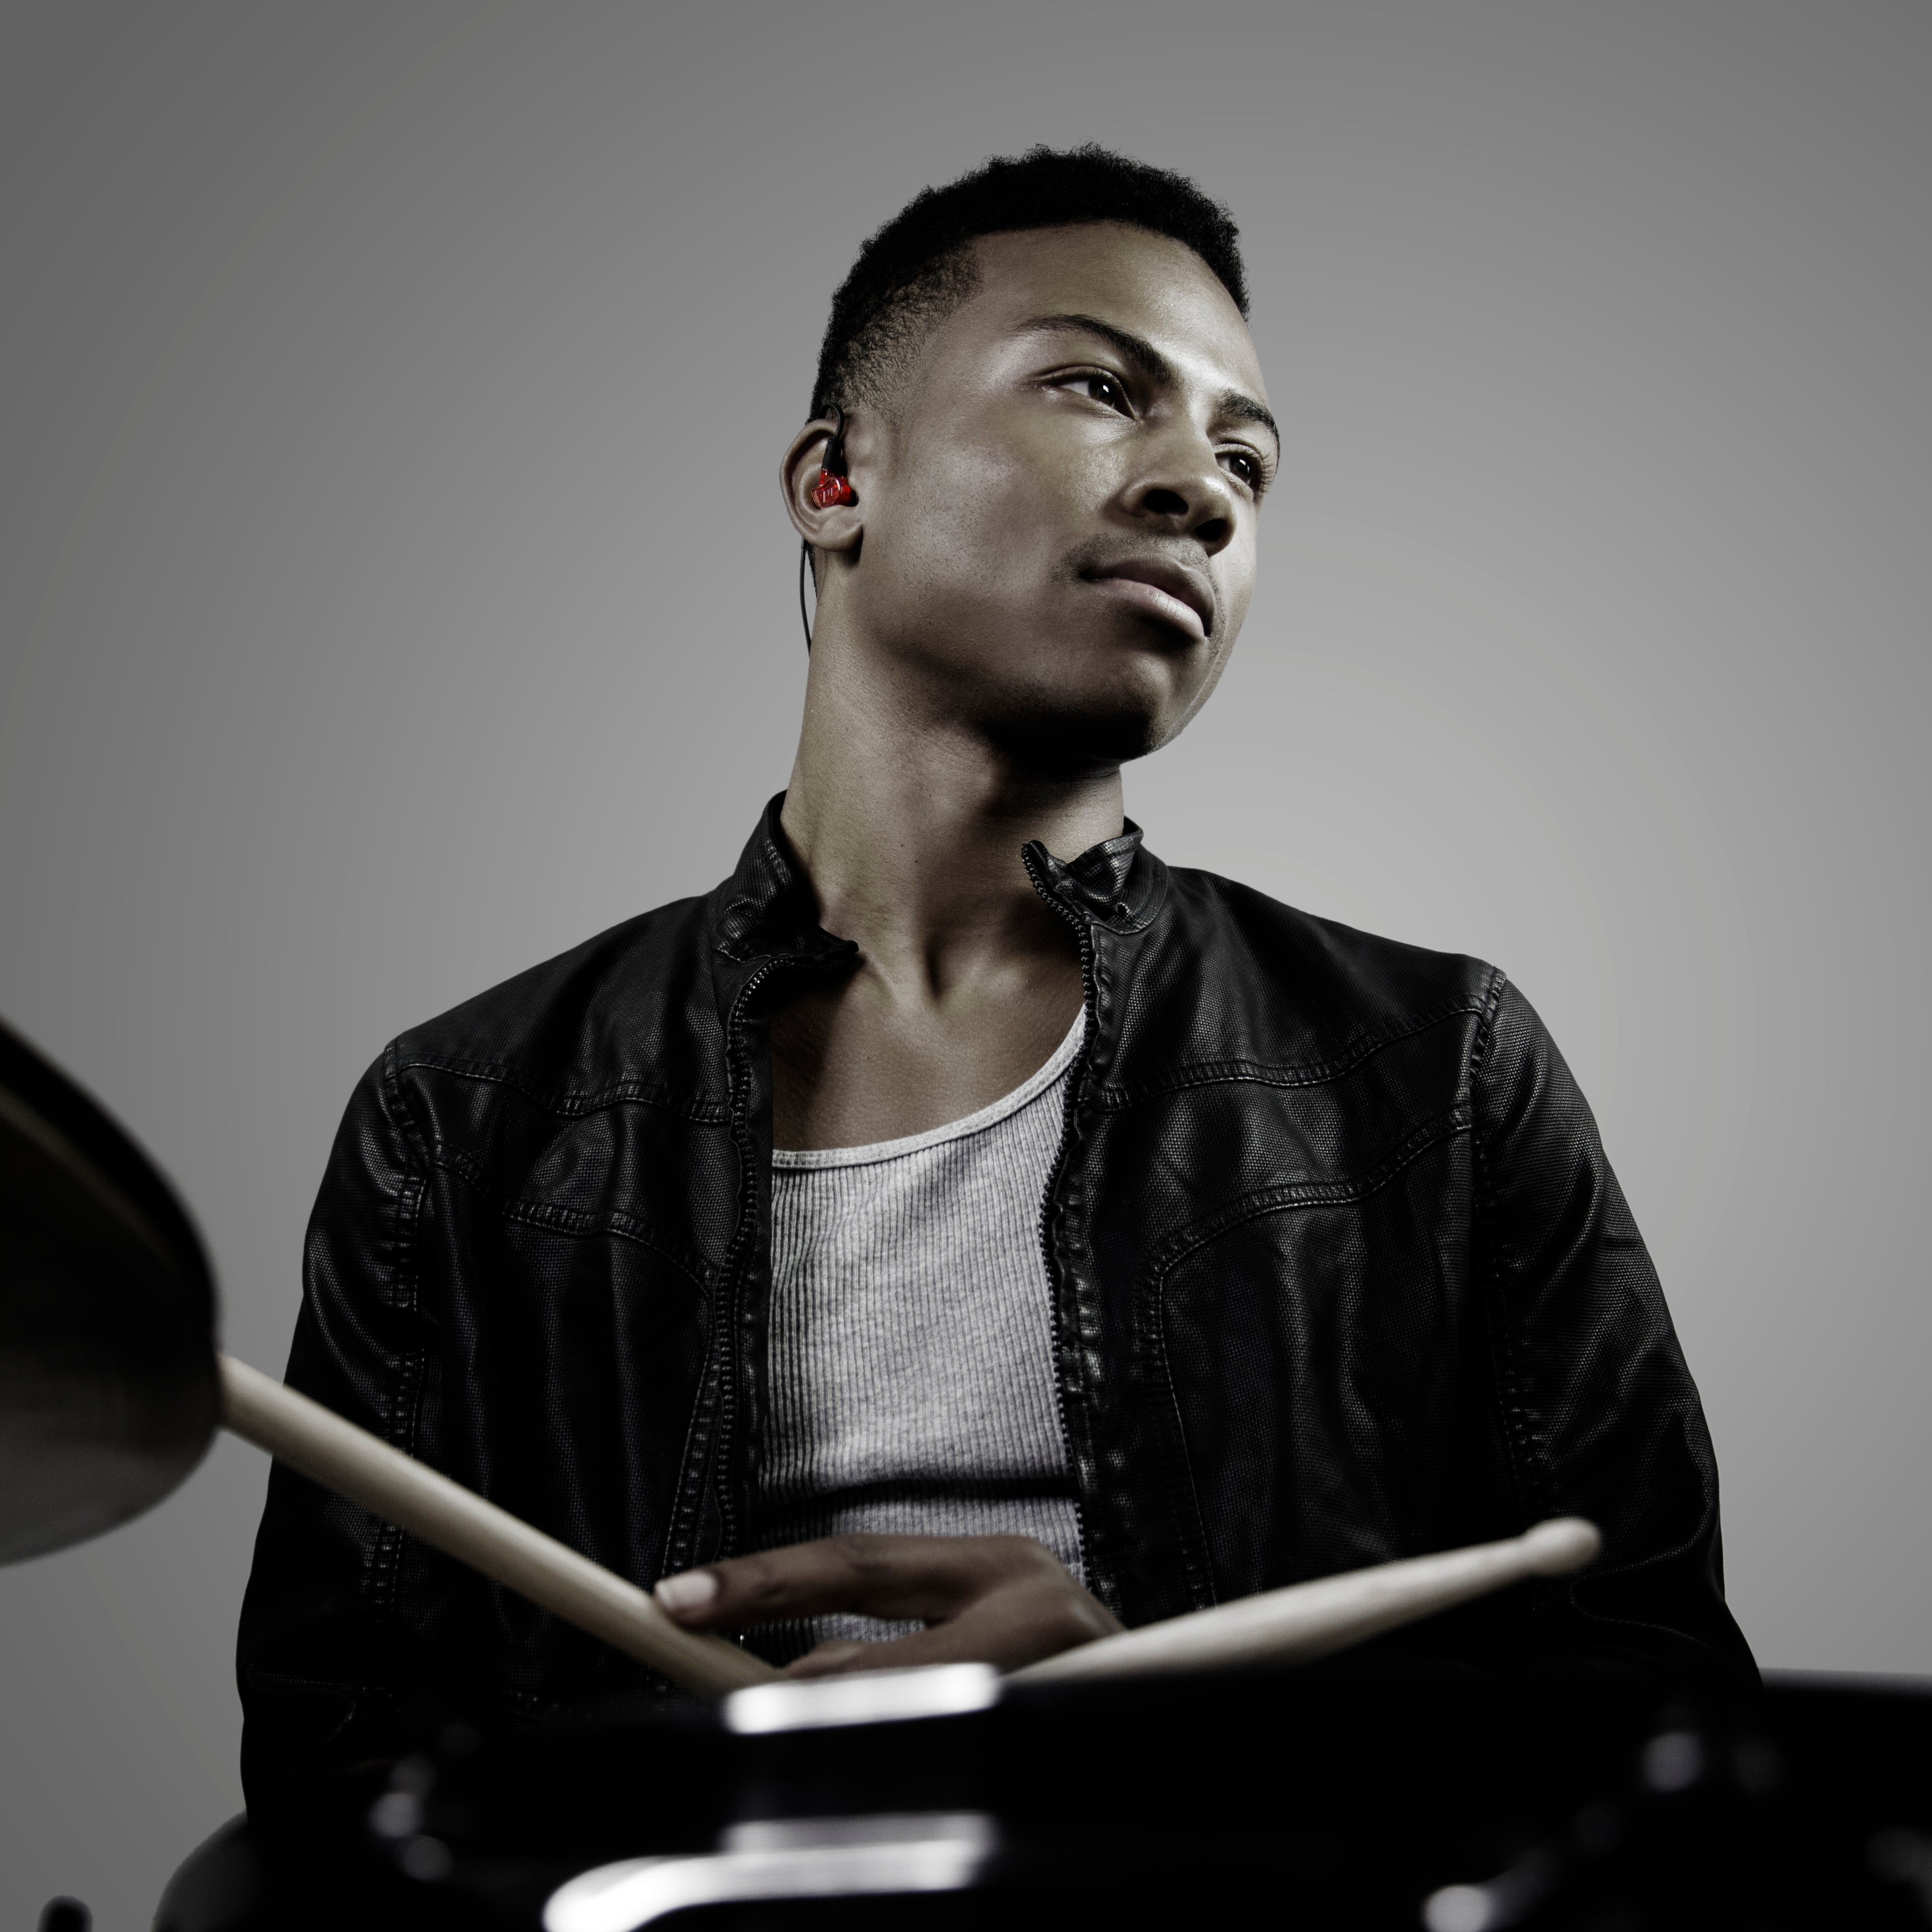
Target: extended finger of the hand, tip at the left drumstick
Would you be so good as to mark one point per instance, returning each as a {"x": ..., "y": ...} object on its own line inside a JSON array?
[{"x": 897, "y": 1577}]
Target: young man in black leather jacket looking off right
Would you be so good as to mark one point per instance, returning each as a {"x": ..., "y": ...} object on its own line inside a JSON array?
[{"x": 959, "y": 1218}]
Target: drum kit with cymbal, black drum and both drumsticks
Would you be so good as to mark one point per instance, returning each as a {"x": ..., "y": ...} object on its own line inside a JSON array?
[{"x": 1237, "y": 1765}]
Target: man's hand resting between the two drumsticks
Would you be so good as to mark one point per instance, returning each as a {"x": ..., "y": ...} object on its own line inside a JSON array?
[{"x": 998, "y": 1601}]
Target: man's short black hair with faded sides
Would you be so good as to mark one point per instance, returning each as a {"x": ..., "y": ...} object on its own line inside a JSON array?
[{"x": 919, "y": 266}]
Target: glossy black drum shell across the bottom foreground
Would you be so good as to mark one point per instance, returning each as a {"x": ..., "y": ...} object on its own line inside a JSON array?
[{"x": 1334, "y": 1798}]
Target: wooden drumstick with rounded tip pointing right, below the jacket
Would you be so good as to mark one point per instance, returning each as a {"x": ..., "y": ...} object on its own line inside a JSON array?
[{"x": 1309, "y": 1620}]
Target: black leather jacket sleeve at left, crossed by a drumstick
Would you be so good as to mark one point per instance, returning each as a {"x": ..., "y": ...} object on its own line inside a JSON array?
[{"x": 318, "y": 1643}]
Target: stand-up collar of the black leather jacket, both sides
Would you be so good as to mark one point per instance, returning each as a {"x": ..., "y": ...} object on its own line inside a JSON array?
[{"x": 768, "y": 905}]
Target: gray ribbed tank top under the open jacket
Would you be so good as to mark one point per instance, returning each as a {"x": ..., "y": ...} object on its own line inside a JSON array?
[{"x": 911, "y": 1336}]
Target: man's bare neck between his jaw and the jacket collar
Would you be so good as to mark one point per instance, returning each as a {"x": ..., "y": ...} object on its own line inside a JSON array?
[{"x": 911, "y": 826}]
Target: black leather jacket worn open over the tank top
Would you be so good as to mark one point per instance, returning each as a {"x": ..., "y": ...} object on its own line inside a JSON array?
[{"x": 1340, "y": 1274}]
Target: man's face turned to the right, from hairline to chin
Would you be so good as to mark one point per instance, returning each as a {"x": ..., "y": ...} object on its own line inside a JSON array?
[{"x": 1060, "y": 513}]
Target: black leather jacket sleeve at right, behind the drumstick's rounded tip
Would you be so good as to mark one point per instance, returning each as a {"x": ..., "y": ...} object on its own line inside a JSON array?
[{"x": 1599, "y": 1409}]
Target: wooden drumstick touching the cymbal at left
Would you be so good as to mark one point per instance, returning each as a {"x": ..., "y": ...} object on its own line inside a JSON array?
[{"x": 461, "y": 1523}]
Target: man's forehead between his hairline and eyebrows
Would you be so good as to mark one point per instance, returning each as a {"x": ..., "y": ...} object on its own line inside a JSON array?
[{"x": 1151, "y": 285}]
